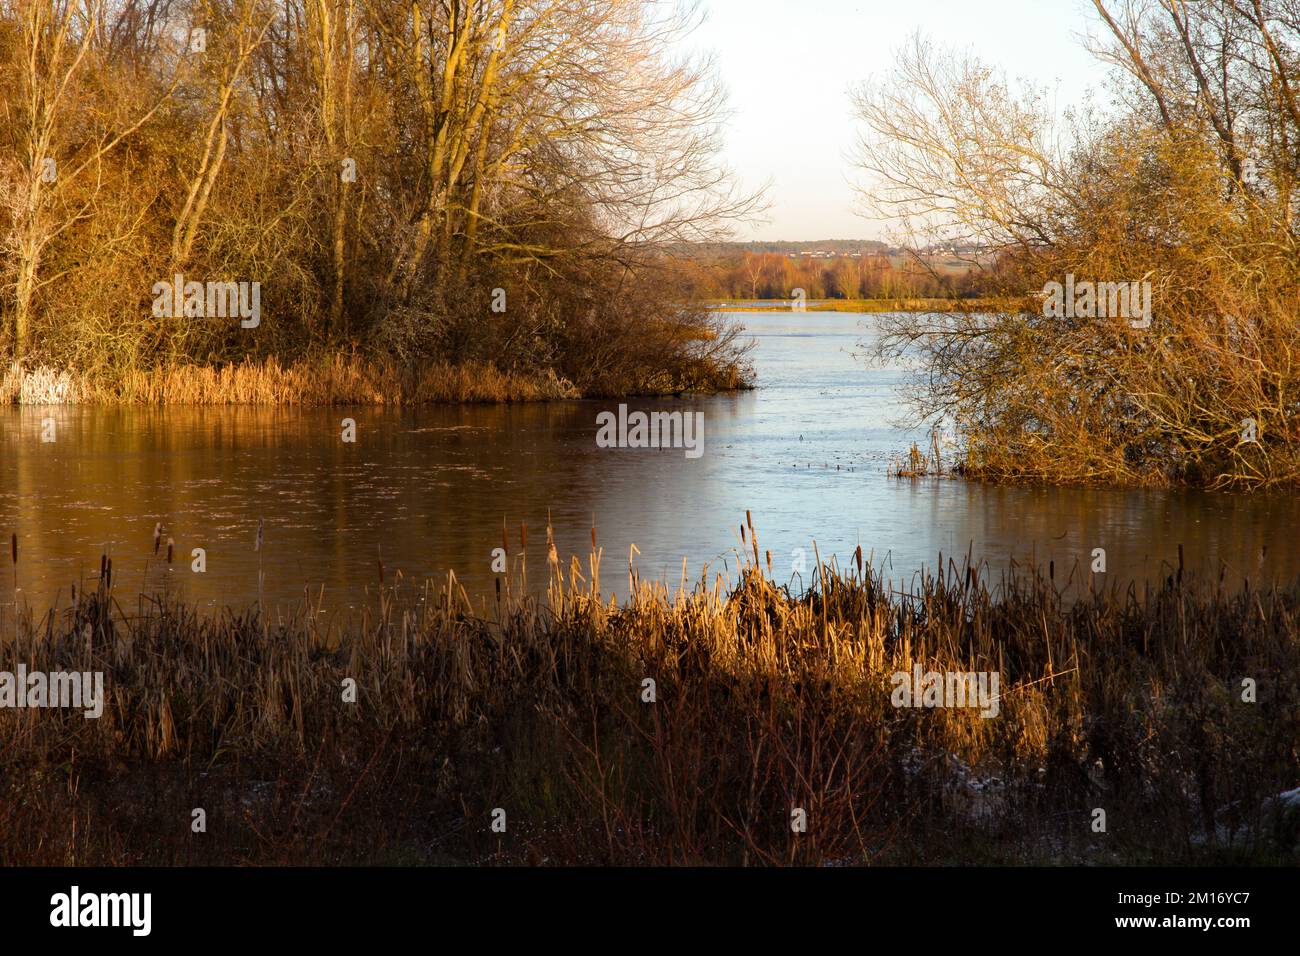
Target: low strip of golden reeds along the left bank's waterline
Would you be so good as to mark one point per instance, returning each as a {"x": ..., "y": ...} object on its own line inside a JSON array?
[{"x": 337, "y": 379}]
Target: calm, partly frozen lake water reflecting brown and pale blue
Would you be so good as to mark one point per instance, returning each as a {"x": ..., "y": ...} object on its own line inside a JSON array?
[{"x": 430, "y": 490}]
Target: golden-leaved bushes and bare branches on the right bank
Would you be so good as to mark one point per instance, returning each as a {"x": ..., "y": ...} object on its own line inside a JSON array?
[{"x": 1189, "y": 183}]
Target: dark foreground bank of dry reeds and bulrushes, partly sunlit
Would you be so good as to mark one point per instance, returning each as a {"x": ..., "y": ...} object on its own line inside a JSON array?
[{"x": 764, "y": 702}]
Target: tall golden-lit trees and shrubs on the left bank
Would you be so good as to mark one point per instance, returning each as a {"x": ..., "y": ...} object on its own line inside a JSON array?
[{"x": 380, "y": 170}]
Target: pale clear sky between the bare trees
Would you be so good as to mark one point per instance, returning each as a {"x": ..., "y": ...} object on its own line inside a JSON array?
[{"x": 788, "y": 67}]
